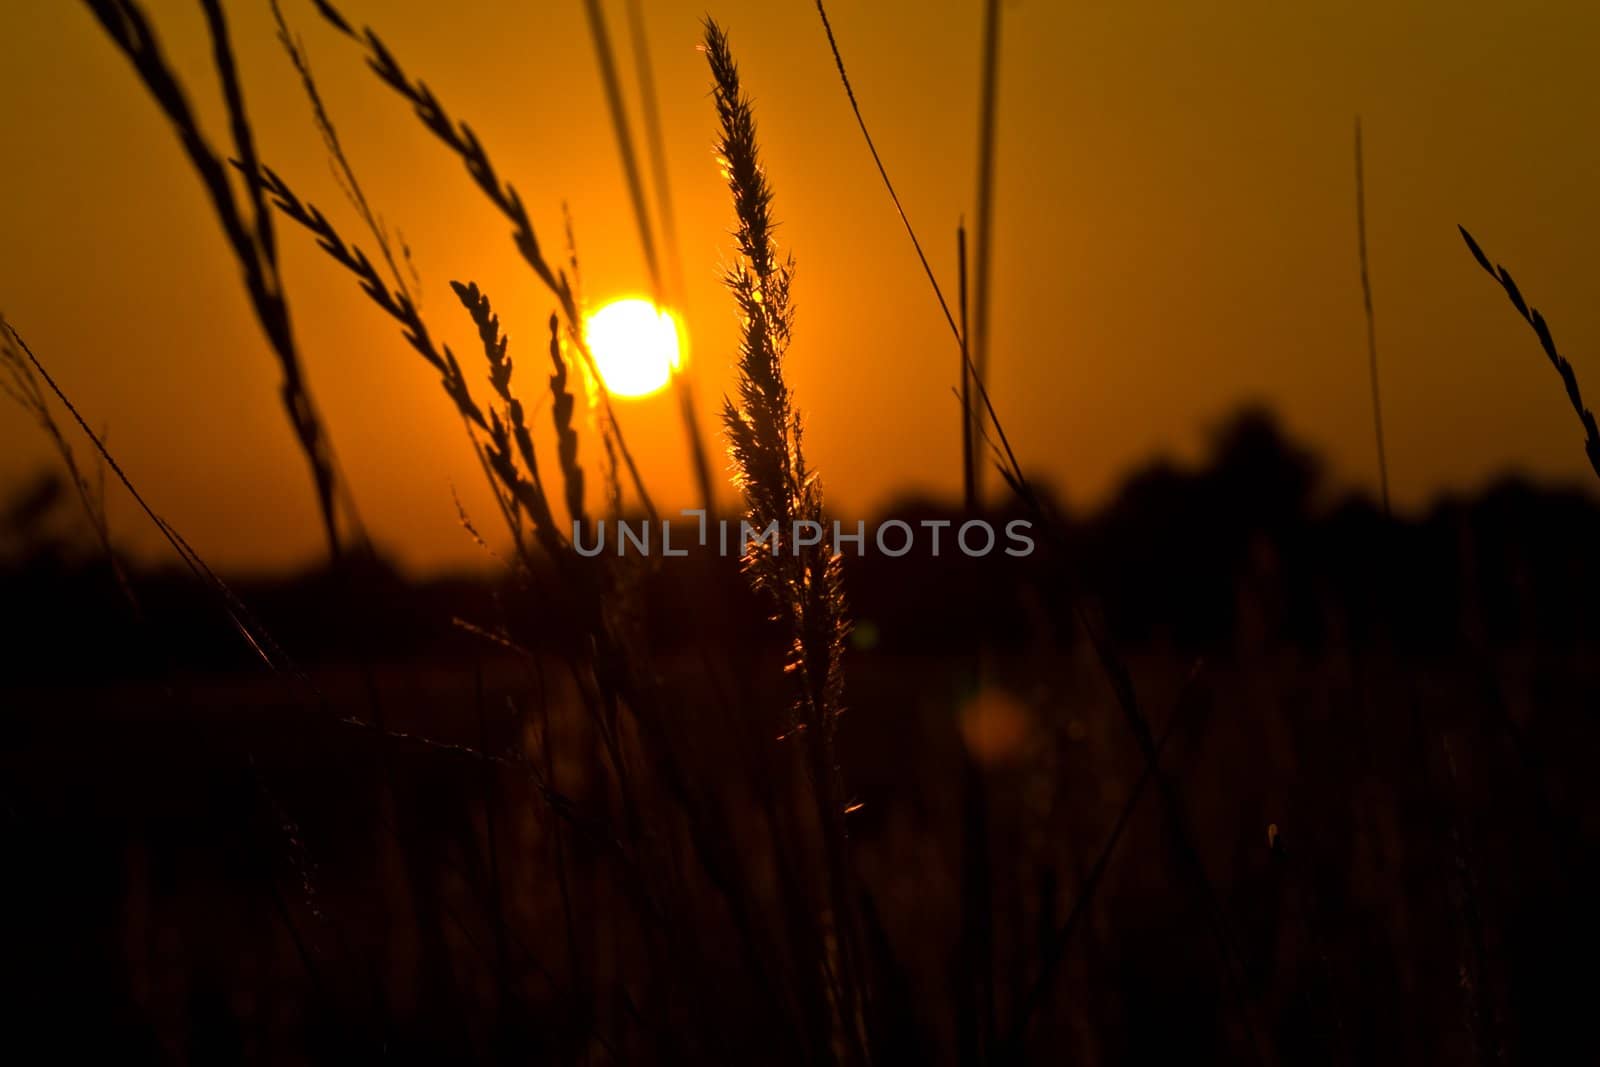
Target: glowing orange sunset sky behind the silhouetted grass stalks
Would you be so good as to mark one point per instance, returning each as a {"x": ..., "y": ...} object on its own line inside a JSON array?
[{"x": 1175, "y": 234}]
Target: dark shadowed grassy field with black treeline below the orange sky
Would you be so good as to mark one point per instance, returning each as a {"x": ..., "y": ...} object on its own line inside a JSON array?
[{"x": 1369, "y": 841}]
